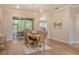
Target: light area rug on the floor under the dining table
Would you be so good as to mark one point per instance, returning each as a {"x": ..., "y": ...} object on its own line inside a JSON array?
[{"x": 29, "y": 50}]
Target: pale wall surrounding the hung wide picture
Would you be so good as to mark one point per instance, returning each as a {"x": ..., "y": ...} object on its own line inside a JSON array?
[{"x": 63, "y": 33}]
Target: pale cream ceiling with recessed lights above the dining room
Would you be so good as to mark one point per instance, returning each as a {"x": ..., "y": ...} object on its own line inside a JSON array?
[{"x": 35, "y": 7}]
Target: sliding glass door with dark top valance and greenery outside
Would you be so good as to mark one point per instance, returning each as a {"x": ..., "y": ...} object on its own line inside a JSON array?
[{"x": 19, "y": 25}]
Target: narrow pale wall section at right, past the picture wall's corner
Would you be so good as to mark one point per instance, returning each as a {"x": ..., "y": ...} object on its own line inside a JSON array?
[{"x": 72, "y": 26}]
